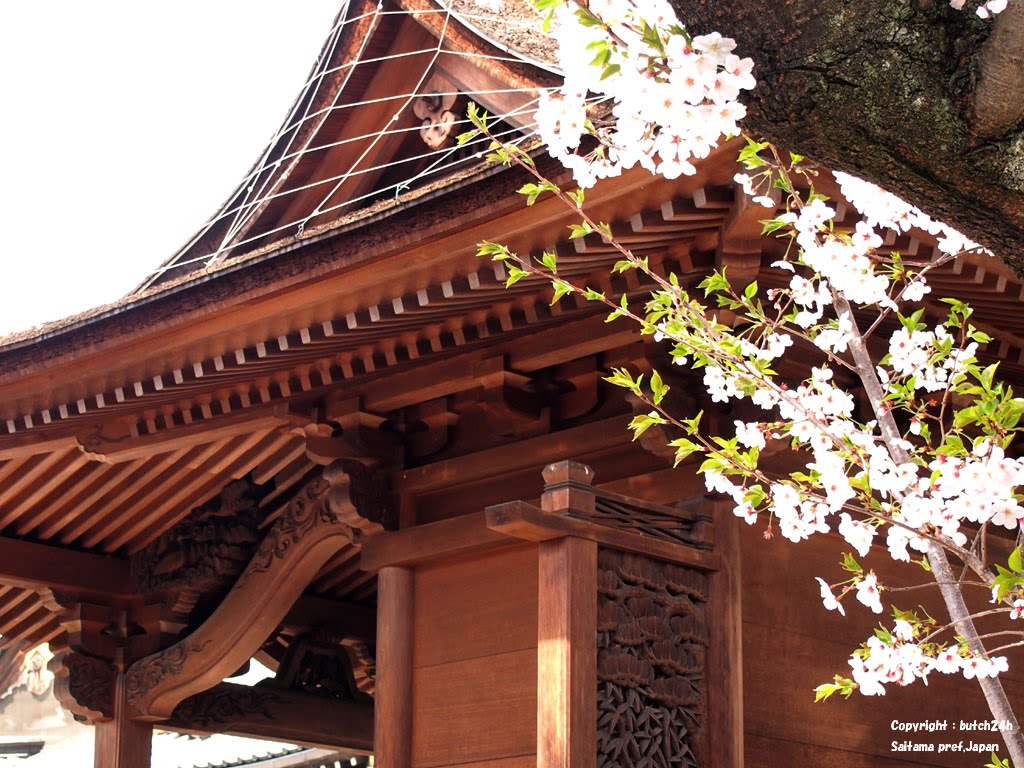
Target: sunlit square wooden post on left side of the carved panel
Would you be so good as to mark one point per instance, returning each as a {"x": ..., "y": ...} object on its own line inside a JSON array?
[{"x": 567, "y": 671}]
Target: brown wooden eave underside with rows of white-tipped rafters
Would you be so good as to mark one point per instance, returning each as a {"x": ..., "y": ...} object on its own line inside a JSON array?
[{"x": 176, "y": 439}]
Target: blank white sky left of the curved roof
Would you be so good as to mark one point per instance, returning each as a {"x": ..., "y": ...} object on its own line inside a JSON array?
[{"x": 125, "y": 124}]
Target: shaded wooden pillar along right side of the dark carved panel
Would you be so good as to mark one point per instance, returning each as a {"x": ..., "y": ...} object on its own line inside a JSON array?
[{"x": 726, "y": 655}]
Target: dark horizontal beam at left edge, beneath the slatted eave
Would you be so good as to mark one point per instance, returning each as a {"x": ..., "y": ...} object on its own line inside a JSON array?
[{"x": 38, "y": 567}]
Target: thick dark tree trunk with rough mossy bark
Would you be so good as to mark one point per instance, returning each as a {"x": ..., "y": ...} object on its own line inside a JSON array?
[{"x": 923, "y": 100}]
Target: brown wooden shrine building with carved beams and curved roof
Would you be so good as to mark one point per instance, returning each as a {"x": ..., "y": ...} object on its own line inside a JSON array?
[{"x": 325, "y": 436}]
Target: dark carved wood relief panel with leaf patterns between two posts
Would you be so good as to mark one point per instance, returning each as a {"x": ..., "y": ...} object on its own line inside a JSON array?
[{"x": 652, "y": 645}]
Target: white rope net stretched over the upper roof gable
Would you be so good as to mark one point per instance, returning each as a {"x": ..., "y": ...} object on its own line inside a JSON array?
[{"x": 378, "y": 119}]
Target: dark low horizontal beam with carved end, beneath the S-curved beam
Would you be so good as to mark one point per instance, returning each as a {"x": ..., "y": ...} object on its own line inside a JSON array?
[{"x": 286, "y": 715}]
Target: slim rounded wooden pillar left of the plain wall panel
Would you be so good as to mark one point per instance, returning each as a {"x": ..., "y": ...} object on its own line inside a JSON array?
[{"x": 394, "y": 701}]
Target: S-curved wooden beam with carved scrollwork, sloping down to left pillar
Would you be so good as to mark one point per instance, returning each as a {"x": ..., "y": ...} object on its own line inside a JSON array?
[{"x": 320, "y": 521}]
